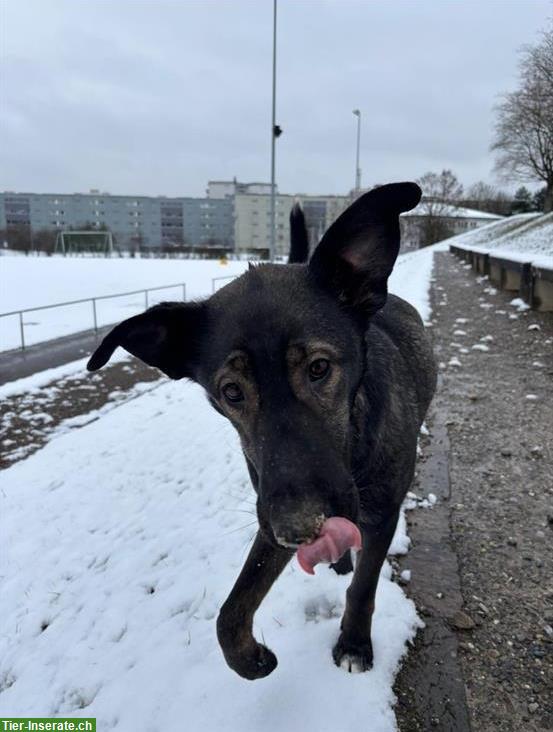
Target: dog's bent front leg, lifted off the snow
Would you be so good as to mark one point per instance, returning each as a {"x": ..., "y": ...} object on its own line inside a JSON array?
[{"x": 242, "y": 652}]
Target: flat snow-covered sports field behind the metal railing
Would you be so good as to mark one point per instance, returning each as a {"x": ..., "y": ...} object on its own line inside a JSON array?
[{"x": 35, "y": 281}]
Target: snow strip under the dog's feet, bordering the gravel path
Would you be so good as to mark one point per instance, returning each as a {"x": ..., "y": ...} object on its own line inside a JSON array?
[{"x": 120, "y": 541}]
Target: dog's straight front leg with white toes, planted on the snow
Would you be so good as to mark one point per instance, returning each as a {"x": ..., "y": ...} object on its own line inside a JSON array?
[{"x": 353, "y": 651}]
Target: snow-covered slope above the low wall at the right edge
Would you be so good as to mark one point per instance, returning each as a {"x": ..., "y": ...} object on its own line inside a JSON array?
[{"x": 527, "y": 236}]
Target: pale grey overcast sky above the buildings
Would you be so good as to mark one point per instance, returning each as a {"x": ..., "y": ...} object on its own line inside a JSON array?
[{"x": 156, "y": 97}]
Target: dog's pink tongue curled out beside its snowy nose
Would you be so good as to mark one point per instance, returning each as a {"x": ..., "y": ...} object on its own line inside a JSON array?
[{"x": 337, "y": 535}]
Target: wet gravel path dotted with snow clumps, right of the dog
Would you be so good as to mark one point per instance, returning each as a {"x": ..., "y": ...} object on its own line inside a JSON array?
[{"x": 495, "y": 400}]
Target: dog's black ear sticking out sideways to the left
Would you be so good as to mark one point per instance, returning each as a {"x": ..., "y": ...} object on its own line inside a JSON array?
[{"x": 166, "y": 336}]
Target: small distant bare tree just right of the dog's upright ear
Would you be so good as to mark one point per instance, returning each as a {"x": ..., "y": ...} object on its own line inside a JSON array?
[{"x": 440, "y": 191}]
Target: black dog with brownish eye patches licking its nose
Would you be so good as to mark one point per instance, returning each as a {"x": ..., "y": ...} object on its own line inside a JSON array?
[{"x": 327, "y": 381}]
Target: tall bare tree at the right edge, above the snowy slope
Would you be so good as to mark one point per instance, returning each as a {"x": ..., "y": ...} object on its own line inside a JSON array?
[{"x": 523, "y": 138}]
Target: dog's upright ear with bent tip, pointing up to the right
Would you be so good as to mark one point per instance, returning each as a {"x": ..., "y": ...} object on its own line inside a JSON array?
[{"x": 356, "y": 255}]
